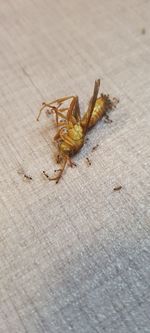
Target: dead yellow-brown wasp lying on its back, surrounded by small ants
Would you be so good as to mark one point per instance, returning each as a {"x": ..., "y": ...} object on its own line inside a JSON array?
[{"x": 72, "y": 127}]
